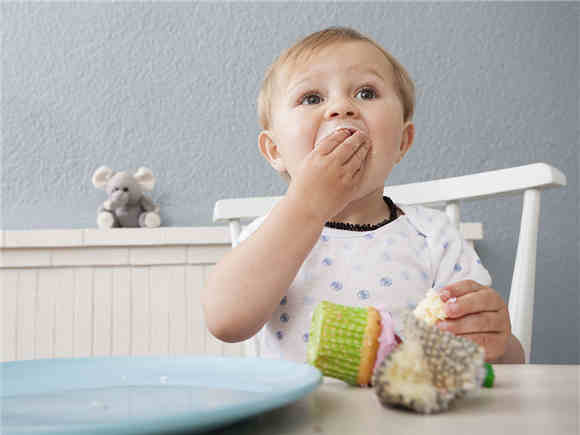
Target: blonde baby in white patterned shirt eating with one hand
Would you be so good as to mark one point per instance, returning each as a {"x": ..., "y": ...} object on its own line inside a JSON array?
[{"x": 336, "y": 111}]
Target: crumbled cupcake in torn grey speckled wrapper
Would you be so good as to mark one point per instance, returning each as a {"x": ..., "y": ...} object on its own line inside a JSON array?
[{"x": 432, "y": 368}]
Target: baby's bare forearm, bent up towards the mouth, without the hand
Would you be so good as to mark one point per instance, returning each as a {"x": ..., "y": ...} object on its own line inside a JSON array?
[{"x": 248, "y": 283}]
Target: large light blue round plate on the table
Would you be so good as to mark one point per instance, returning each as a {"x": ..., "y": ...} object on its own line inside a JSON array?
[{"x": 145, "y": 395}]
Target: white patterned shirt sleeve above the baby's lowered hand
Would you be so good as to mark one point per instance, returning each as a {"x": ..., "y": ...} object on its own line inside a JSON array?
[{"x": 452, "y": 257}]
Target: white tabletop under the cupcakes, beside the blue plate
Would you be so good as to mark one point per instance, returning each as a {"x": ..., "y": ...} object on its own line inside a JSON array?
[{"x": 527, "y": 399}]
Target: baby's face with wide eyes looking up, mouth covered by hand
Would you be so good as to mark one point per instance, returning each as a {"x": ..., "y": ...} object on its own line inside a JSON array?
[{"x": 345, "y": 84}]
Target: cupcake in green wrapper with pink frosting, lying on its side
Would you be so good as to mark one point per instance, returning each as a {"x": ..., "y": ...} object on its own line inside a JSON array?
[{"x": 348, "y": 342}]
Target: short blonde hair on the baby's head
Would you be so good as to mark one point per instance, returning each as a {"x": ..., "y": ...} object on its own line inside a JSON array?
[{"x": 309, "y": 45}]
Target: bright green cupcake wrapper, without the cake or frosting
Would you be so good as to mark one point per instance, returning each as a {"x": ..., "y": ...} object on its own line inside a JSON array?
[{"x": 336, "y": 339}]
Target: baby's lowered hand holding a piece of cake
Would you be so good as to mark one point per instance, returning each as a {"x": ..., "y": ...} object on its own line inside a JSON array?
[{"x": 479, "y": 314}]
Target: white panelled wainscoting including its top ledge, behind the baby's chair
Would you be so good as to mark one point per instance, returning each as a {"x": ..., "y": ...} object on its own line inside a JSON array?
[{"x": 79, "y": 293}]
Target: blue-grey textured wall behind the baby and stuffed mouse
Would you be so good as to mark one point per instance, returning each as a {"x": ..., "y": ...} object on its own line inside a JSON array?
[{"x": 172, "y": 86}]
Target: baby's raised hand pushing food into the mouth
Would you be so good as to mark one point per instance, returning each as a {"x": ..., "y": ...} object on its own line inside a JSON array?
[{"x": 329, "y": 177}]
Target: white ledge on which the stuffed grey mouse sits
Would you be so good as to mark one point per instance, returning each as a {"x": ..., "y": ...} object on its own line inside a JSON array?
[{"x": 217, "y": 235}]
